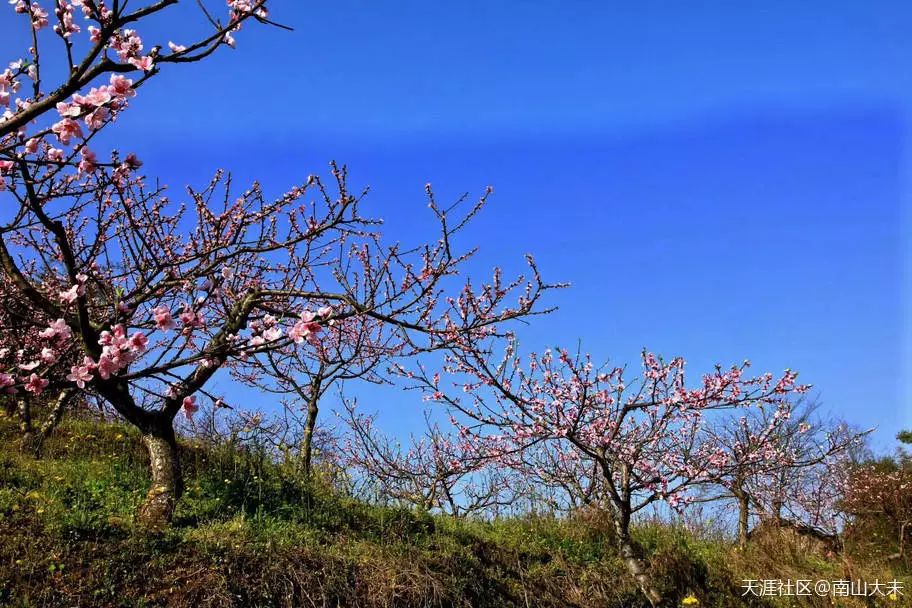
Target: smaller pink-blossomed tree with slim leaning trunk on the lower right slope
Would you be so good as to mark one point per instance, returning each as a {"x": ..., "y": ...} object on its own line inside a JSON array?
[{"x": 646, "y": 433}]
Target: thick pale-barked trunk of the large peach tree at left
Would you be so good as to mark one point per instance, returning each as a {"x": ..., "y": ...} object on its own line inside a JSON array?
[{"x": 158, "y": 508}]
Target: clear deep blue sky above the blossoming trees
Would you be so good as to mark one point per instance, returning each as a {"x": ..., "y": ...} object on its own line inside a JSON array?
[{"x": 717, "y": 180}]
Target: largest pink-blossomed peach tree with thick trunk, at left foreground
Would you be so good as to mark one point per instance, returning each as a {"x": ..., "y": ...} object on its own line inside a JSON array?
[{"x": 139, "y": 299}]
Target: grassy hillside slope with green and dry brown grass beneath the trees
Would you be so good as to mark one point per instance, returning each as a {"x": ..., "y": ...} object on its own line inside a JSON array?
[{"x": 248, "y": 533}]
